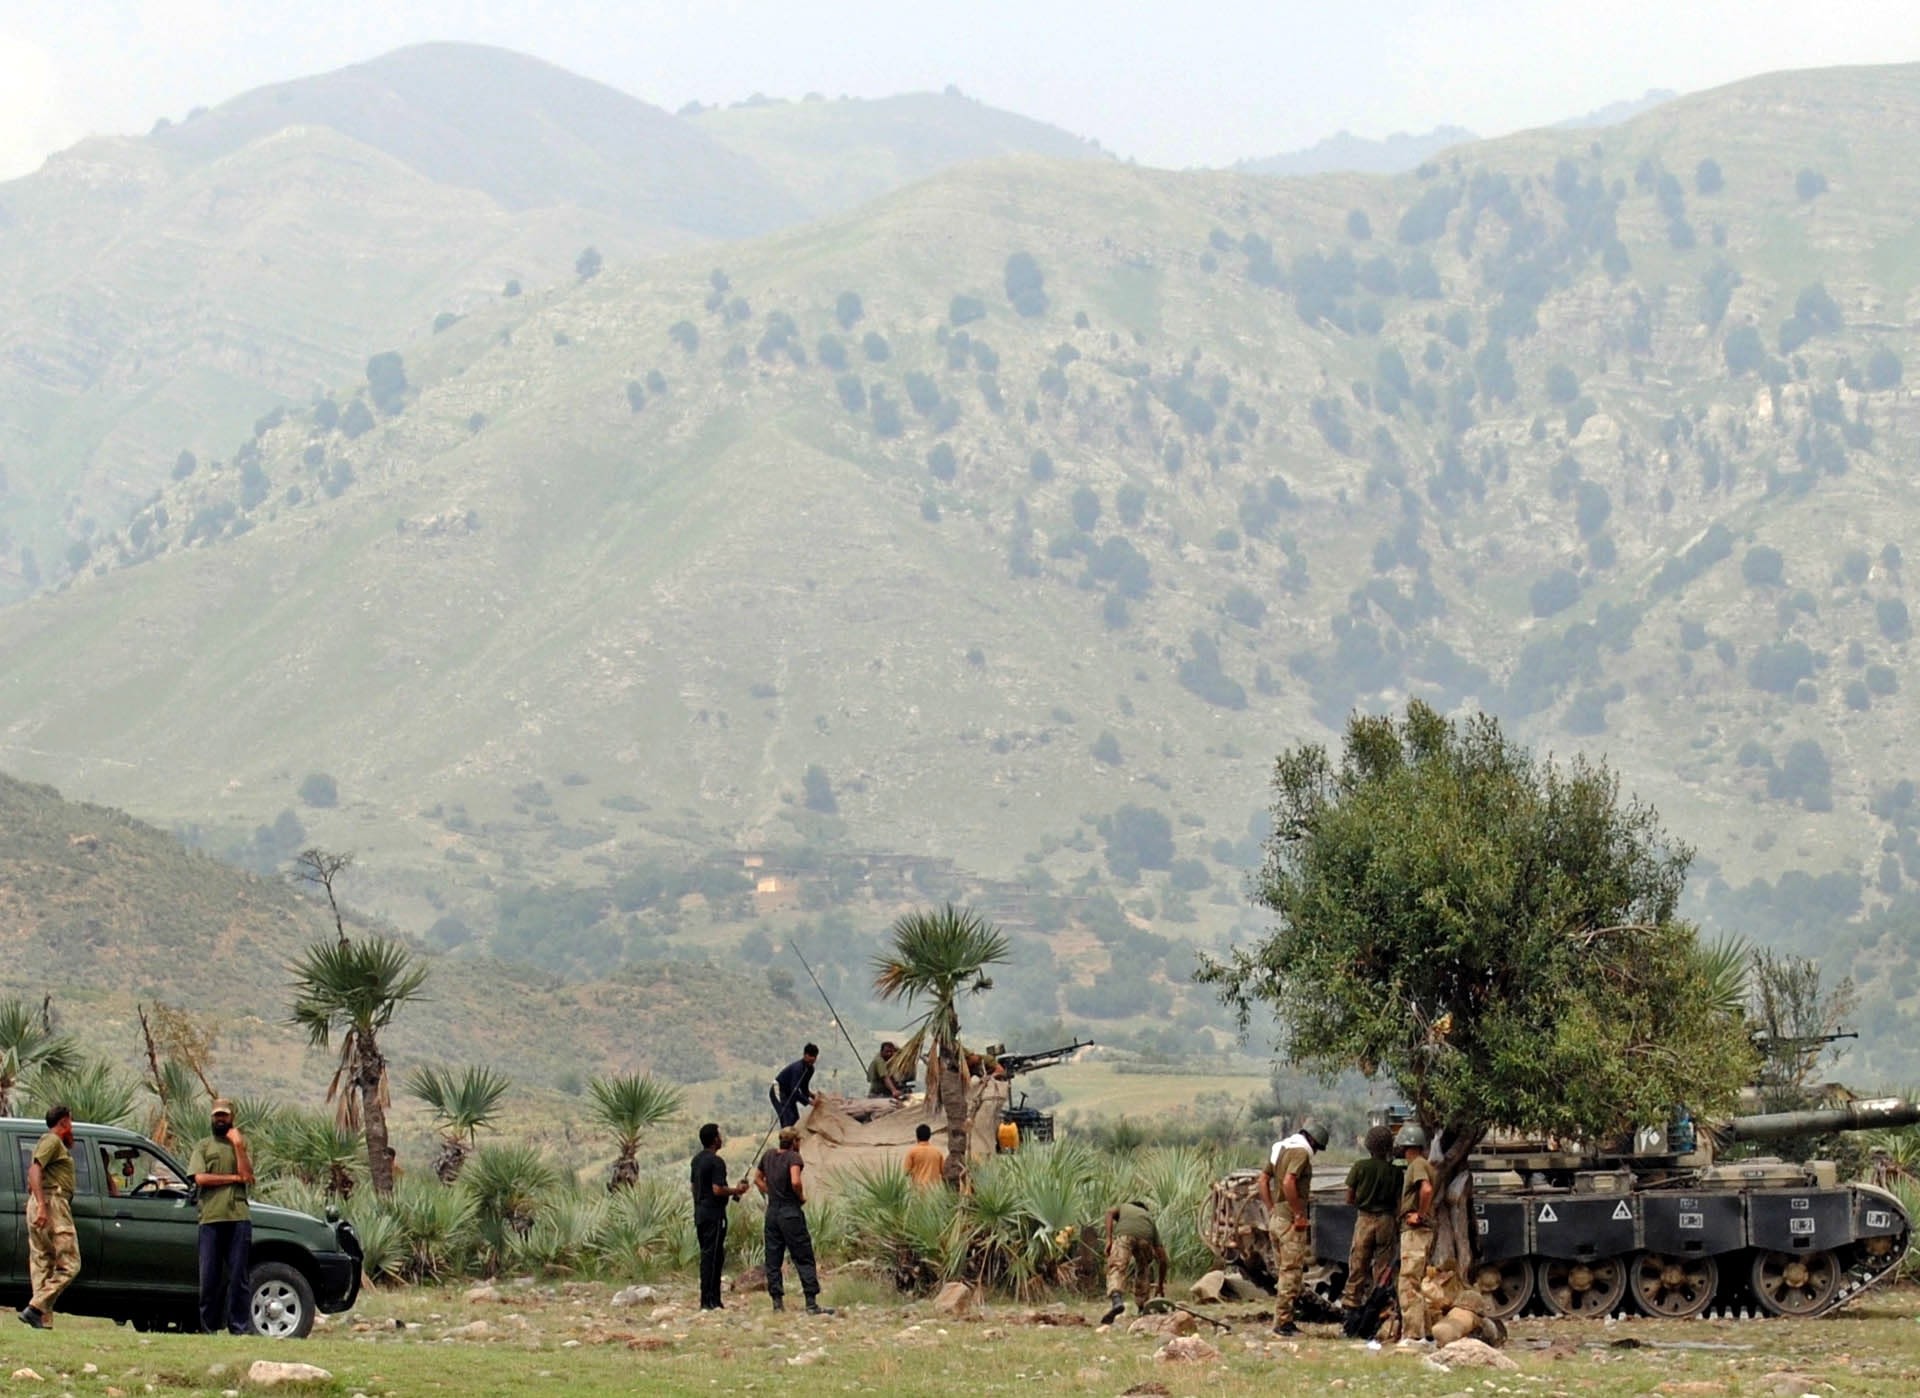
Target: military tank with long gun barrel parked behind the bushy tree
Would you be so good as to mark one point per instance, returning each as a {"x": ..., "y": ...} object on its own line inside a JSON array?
[{"x": 1658, "y": 1222}]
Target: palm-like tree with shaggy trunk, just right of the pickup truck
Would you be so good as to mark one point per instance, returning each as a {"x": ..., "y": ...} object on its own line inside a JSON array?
[{"x": 350, "y": 990}]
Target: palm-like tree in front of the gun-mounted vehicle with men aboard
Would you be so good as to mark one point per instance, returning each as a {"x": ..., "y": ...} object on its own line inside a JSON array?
[{"x": 938, "y": 957}]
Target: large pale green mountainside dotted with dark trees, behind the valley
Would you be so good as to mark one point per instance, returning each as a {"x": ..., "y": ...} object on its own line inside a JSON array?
[{"x": 1140, "y": 479}]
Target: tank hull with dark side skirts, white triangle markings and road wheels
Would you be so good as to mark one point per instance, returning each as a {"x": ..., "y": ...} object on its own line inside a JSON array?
[{"x": 1673, "y": 1253}]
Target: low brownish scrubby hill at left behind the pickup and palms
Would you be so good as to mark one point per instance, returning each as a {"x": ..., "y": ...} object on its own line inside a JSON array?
[{"x": 101, "y": 913}]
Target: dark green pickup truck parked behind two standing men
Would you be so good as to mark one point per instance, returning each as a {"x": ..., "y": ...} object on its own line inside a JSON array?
[{"x": 141, "y": 1234}]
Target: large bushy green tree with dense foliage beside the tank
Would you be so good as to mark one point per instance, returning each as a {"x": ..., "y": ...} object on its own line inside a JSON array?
[{"x": 1495, "y": 936}]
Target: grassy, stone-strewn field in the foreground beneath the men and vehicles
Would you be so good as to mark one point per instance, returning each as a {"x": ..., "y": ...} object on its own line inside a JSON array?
[{"x": 573, "y": 1339}]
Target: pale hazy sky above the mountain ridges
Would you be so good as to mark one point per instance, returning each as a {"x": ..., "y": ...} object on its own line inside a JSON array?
[{"x": 1166, "y": 84}]
